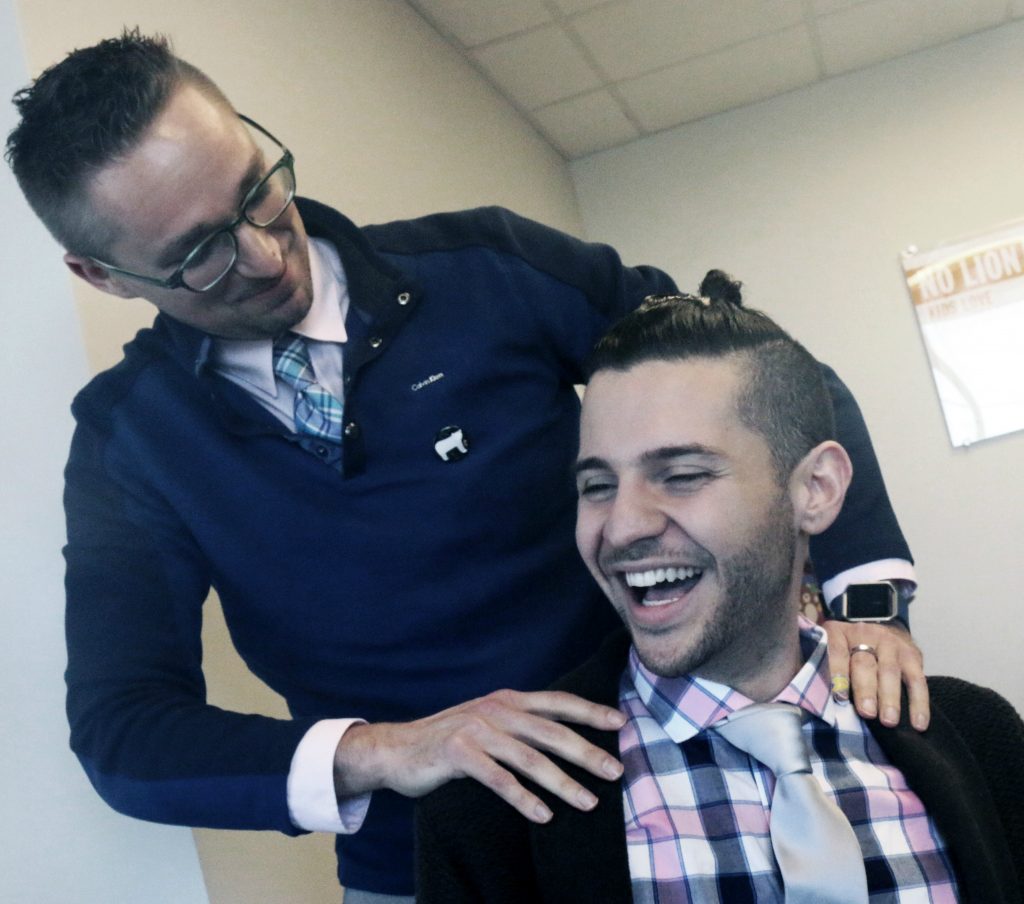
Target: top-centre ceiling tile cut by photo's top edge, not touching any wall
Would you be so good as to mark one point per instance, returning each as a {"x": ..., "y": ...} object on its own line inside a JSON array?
[{"x": 633, "y": 37}]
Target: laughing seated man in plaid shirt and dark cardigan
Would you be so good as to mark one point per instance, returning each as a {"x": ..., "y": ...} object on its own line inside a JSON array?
[{"x": 706, "y": 463}]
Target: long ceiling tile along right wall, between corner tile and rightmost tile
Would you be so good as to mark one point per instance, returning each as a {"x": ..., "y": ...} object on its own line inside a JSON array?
[{"x": 720, "y": 81}]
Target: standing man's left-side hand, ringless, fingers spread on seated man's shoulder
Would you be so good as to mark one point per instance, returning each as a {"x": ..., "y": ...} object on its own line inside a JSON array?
[{"x": 494, "y": 740}]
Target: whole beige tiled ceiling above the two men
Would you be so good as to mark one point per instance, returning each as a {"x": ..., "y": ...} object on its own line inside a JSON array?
[{"x": 590, "y": 75}]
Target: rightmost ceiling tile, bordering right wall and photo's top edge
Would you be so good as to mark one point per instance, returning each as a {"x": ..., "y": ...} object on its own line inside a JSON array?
[{"x": 871, "y": 33}]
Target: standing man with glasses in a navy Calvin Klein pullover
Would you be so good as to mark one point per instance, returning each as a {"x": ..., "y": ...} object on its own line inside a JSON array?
[{"x": 361, "y": 438}]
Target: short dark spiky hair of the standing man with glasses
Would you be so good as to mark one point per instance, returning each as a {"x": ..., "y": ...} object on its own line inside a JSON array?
[{"x": 83, "y": 114}]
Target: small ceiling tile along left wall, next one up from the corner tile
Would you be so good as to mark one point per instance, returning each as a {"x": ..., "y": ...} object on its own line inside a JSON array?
[{"x": 538, "y": 68}]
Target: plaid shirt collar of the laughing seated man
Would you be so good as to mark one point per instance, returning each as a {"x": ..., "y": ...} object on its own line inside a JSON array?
[{"x": 686, "y": 707}]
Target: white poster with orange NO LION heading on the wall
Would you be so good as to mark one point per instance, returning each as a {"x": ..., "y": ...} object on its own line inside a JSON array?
[{"x": 969, "y": 298}]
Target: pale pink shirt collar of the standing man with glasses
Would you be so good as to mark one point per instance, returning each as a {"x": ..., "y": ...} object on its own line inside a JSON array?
[{"x": 252, "y": 360}]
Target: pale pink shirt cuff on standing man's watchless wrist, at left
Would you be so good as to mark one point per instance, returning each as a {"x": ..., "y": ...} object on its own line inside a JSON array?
[{"x": 312, "y": 801}]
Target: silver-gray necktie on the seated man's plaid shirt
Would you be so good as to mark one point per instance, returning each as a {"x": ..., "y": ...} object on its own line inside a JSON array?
[{"x": 815, "y": 844}]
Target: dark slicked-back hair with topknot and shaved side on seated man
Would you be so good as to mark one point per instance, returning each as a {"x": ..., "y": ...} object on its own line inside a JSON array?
[{"x": 784, "y": 397}]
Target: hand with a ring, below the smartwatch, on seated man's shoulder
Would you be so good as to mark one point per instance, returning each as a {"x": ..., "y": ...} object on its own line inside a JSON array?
[{"x": 876, "y": 679}]
